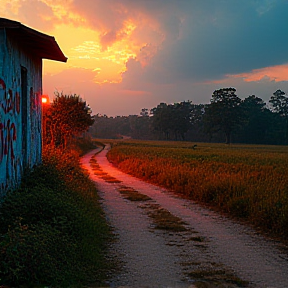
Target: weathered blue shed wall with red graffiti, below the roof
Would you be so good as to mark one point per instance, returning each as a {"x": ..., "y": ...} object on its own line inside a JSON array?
[{"x": 20, "y": 116}]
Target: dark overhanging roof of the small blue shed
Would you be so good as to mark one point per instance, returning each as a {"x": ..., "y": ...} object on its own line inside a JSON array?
[{"x": 33, "y": 41}]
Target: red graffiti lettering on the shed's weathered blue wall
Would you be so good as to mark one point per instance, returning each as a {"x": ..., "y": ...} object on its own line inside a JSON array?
[{"x": 9, "y": 104}]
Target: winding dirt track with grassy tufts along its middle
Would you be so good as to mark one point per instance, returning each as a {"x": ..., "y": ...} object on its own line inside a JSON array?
[{"x": 165, "y": 241}]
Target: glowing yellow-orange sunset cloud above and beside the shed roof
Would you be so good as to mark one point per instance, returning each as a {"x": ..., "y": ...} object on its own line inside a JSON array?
[{"x": 96, "y": 35}]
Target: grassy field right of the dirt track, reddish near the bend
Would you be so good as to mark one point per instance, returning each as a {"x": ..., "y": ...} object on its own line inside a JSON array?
[{"x": 247, "y": 181}]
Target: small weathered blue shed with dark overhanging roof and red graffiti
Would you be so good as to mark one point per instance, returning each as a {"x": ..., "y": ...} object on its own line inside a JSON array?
[{"x": 21, "y": 52}]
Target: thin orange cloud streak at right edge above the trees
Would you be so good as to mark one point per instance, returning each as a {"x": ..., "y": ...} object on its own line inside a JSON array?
[{"x": 275, "y": 73}]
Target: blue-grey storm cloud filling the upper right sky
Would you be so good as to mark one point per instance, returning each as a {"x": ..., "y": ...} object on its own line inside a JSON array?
[{"x": 228, "y": 38}]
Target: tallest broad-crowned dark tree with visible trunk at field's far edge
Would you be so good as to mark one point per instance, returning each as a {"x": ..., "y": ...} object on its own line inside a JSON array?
[{"x": 224, "y": 113}]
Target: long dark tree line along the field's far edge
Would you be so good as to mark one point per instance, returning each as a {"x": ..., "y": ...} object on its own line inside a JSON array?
[{"x": 227, "y": 118}]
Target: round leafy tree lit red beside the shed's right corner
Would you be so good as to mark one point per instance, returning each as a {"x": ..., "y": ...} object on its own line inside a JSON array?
[{"x": 67, "y": 116}]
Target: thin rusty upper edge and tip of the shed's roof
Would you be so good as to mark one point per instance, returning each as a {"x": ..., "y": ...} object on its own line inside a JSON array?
[{"x": 11, "y": 24}]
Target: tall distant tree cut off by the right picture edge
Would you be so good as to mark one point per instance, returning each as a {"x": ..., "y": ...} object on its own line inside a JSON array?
[{"x": 279, "y": 102}]
